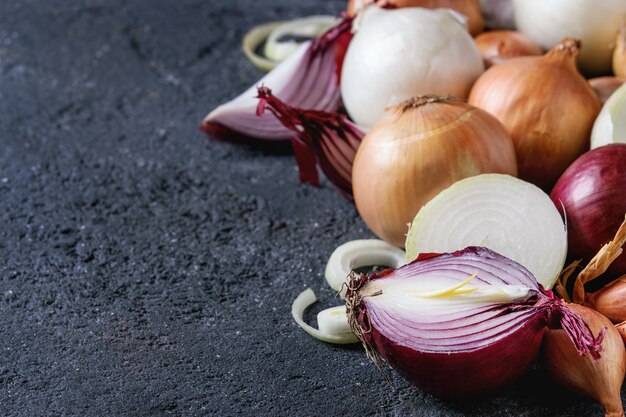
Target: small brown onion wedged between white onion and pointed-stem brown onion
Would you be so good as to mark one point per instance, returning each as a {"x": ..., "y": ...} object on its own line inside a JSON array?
[{"x": 499, "y": 45}]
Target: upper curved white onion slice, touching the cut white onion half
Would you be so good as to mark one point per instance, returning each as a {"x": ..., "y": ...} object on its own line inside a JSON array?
[{"x": 358, "y": 254}]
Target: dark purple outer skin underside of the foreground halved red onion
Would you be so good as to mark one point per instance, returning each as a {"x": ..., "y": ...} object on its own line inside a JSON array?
[{"x": 465, "y": 374}]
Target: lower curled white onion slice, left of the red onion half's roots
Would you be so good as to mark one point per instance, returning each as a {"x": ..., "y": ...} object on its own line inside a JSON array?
[{"x": 332, "y": 322}]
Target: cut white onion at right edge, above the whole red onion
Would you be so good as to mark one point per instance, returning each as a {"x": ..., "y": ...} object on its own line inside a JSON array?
[{"x": 610, "y": 126}]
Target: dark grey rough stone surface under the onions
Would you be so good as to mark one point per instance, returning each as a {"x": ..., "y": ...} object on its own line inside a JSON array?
[{"x": 147, "y": 271}]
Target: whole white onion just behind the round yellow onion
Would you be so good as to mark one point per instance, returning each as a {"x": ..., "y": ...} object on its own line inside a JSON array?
[{"x": 398, "y": 54}]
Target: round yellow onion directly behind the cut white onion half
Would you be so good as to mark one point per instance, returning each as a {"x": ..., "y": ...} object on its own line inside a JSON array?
[{"x": 419, "y": 148}]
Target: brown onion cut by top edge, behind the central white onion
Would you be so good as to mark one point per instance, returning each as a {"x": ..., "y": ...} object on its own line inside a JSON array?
[{"x": 469, "y": 8}]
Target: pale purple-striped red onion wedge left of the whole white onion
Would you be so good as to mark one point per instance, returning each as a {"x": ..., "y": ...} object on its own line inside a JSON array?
[{"x": 308, "y": 79}]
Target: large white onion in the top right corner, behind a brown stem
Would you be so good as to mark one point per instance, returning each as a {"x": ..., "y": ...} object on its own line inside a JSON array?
[{"x": 596, "y": 23}]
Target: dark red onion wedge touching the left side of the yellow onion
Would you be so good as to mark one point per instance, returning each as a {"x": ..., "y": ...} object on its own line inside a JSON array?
[{"x": 329, "y": 140}]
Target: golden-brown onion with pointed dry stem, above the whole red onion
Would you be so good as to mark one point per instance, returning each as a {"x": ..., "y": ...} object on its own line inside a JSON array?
[{"x": 547, "y": 107}]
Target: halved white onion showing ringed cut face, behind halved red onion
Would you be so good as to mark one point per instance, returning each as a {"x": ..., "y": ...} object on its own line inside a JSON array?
[{"x": 507, "y": 215}]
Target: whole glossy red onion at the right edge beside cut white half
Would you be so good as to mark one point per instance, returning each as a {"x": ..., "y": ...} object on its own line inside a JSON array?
[{"x": 593, "y": 192}]
